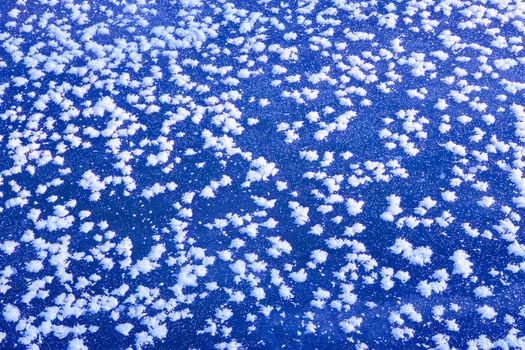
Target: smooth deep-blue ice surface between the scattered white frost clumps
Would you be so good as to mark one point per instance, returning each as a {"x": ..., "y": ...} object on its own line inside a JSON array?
[{"x": 146, "y": 221}]
